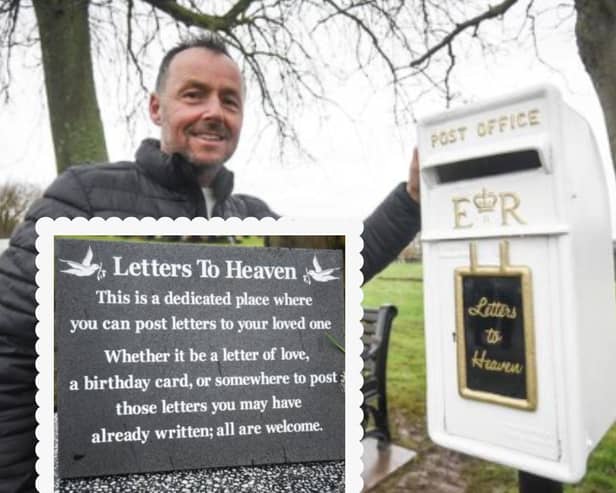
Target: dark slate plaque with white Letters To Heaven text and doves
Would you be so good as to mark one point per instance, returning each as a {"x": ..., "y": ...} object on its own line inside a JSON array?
[{"x": 175, "y": 356}]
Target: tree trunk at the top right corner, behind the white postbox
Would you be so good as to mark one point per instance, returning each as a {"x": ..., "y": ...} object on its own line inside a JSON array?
[{"x": 596, "y": 21}]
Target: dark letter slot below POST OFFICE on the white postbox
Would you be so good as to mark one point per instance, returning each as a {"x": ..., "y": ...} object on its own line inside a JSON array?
[{"x": 497, "y": 164}]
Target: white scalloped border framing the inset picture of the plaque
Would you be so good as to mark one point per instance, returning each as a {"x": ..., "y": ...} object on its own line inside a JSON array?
[{"x": 48, "y": 228}]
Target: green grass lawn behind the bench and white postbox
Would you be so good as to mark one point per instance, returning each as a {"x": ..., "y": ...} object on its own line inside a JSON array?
[{"x": 400, "y": 284}]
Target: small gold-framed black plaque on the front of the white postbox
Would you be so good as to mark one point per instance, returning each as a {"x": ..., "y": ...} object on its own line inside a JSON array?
[{"x": 496, "y": 360}]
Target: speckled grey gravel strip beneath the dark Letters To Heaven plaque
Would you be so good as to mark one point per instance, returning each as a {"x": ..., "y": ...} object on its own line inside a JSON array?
[{"x": 317, "y": 477}]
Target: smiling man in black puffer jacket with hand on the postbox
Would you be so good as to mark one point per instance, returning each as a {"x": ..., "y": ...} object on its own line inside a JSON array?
[{"x": 198, "y": 104}]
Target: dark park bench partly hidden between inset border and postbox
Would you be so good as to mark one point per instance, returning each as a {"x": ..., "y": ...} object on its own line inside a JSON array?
[{"x": 377, "y": 324}]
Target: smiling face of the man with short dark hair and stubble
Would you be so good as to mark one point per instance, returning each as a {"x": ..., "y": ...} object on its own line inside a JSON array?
[{"x": 200, "y": 107}]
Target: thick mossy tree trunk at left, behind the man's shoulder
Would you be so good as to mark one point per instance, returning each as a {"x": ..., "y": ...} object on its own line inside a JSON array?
[{"x": 76, "y": 125}]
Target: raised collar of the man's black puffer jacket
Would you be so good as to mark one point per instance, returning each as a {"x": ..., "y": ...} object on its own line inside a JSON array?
[{"x": 175, "y": 172}]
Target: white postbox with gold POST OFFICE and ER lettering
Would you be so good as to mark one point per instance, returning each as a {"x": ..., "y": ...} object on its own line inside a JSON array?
[{"x": 520, "y": 312}]
